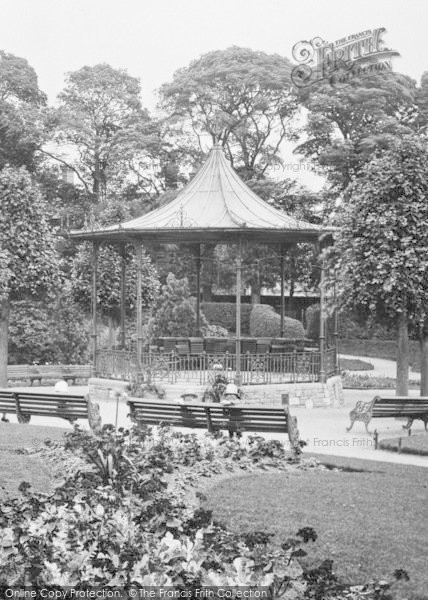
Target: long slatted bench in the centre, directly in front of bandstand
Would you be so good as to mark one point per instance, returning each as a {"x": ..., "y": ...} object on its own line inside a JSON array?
[{"x": 215, "y": 417}]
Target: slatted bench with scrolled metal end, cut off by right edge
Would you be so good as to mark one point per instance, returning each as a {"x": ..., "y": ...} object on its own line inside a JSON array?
[{"x": 410, "y": 408}]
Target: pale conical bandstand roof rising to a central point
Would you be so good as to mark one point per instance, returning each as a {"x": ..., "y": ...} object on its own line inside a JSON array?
[{"x": 215, "y": 206}]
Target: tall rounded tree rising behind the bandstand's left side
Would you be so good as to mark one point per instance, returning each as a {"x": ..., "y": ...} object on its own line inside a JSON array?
[{"x": 100, "y": 108}]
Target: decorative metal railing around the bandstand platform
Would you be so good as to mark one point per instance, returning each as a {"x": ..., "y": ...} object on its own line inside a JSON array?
[{"x": 290, "y": 367}]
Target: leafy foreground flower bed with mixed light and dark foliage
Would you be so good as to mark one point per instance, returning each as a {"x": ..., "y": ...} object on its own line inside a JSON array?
[{"x": 118, "y": 516}]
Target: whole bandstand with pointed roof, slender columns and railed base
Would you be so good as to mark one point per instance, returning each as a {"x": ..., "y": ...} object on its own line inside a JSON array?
[{"x": 216, "y": 207}]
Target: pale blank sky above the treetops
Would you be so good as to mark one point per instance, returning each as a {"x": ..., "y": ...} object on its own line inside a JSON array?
[{"x": 151, "y": 39}]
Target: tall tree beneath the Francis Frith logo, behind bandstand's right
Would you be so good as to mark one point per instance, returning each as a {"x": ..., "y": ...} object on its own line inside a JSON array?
[{"x": 347, "y": 124}]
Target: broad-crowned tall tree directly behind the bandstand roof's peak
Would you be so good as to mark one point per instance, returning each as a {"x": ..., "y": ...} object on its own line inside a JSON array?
[{"x": 239, "y": 97}]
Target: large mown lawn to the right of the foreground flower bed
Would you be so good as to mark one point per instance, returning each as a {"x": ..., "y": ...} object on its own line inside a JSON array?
[{"x": 370, "y": 523}]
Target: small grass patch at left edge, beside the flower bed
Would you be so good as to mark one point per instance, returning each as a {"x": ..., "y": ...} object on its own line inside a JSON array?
[{"x": 15, "y": 466}]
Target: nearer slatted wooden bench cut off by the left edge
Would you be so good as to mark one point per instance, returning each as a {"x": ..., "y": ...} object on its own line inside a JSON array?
[{"x": 63, "y": 406}]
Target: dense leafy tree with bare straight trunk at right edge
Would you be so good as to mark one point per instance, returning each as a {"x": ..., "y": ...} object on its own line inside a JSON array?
[{"x": 382, "y": 248}]
